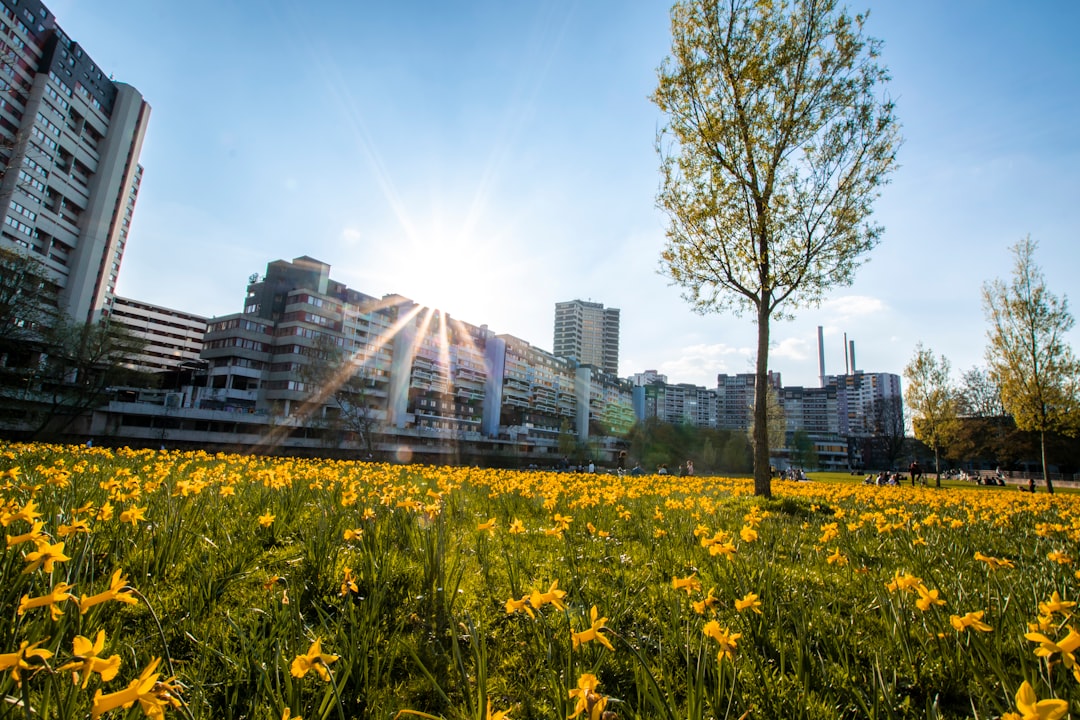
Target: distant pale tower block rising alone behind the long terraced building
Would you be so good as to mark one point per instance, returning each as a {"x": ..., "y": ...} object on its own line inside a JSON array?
[{"x": 589, "y": 334}]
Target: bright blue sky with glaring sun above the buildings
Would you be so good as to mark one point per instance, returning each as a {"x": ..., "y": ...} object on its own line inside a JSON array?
[{"x": 495, "y": 158}]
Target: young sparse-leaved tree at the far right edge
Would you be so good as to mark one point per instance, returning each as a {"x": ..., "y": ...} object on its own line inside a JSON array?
[{"x": 1029, "y": 356}]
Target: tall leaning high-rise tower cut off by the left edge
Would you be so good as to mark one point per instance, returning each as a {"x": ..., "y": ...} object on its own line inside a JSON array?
[{"x": 70, "y": 145}]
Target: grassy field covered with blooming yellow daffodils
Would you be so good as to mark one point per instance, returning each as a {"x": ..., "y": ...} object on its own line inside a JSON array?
[{"x": 188, "y": 586}]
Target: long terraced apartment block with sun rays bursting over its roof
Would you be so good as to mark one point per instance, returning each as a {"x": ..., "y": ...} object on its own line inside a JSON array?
[{"x": 421, "y": 382}]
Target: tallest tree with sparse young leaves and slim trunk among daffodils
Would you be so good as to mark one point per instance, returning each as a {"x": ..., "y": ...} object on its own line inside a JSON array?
[{"x": 778, "y": 139}]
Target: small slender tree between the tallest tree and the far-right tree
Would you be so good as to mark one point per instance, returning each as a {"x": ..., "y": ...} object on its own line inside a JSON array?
[{"x": 933, "y": 400}]
